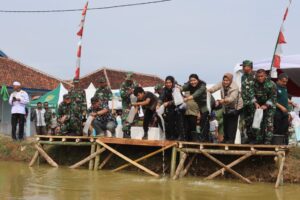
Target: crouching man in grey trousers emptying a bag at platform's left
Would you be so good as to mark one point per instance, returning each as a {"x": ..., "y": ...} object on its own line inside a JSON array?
[{"x": 104, "y": 122}]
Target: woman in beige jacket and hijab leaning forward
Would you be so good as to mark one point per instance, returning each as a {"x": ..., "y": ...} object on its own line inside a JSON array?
[{"x": 232, "y": 103}]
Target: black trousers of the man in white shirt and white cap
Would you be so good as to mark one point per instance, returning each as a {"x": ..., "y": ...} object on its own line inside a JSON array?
[{"x": 17, "y": 119}]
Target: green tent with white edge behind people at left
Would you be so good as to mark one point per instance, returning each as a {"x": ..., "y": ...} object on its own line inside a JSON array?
[{"x": 53, "y": 97}]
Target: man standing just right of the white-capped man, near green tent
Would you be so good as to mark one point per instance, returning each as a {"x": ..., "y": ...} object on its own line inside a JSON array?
[{"x": 38, "y": 116}]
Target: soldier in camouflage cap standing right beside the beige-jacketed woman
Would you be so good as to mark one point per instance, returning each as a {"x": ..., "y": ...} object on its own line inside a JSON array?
[{"x": 248, "y": 79}]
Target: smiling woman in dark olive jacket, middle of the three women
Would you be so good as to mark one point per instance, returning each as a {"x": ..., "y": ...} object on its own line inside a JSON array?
[{"x": 197, "y": 93}]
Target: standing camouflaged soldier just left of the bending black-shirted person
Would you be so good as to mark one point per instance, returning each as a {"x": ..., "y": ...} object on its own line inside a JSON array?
[{"x": 126, "y": 91}]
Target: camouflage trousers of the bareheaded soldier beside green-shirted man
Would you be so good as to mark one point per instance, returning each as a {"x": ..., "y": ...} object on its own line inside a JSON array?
[{"x": 265, "y": 134}]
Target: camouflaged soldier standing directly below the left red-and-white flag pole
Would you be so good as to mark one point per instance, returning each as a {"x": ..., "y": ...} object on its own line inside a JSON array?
[{"x": 77, "y": 96}]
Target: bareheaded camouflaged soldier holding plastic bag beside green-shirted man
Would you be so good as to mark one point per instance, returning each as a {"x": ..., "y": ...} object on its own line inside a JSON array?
[{"x": 265, "y": 96}]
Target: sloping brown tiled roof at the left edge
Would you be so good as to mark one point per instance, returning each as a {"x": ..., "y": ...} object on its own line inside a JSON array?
[{"x": 11, "y": 70}]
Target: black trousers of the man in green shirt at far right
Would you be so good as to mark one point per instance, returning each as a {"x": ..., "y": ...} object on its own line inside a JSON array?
[{"x": 281, "y": 125}]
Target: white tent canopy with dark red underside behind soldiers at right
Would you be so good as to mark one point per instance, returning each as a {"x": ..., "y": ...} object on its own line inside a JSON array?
[{"x": 289, "y": 65}]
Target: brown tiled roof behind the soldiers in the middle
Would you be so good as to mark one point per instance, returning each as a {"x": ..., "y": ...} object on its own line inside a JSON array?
[{"x": 116, "y": 77}]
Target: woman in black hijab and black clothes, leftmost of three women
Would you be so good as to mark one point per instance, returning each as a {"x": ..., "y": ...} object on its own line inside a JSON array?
[{"x": 173, "y": 115}]
